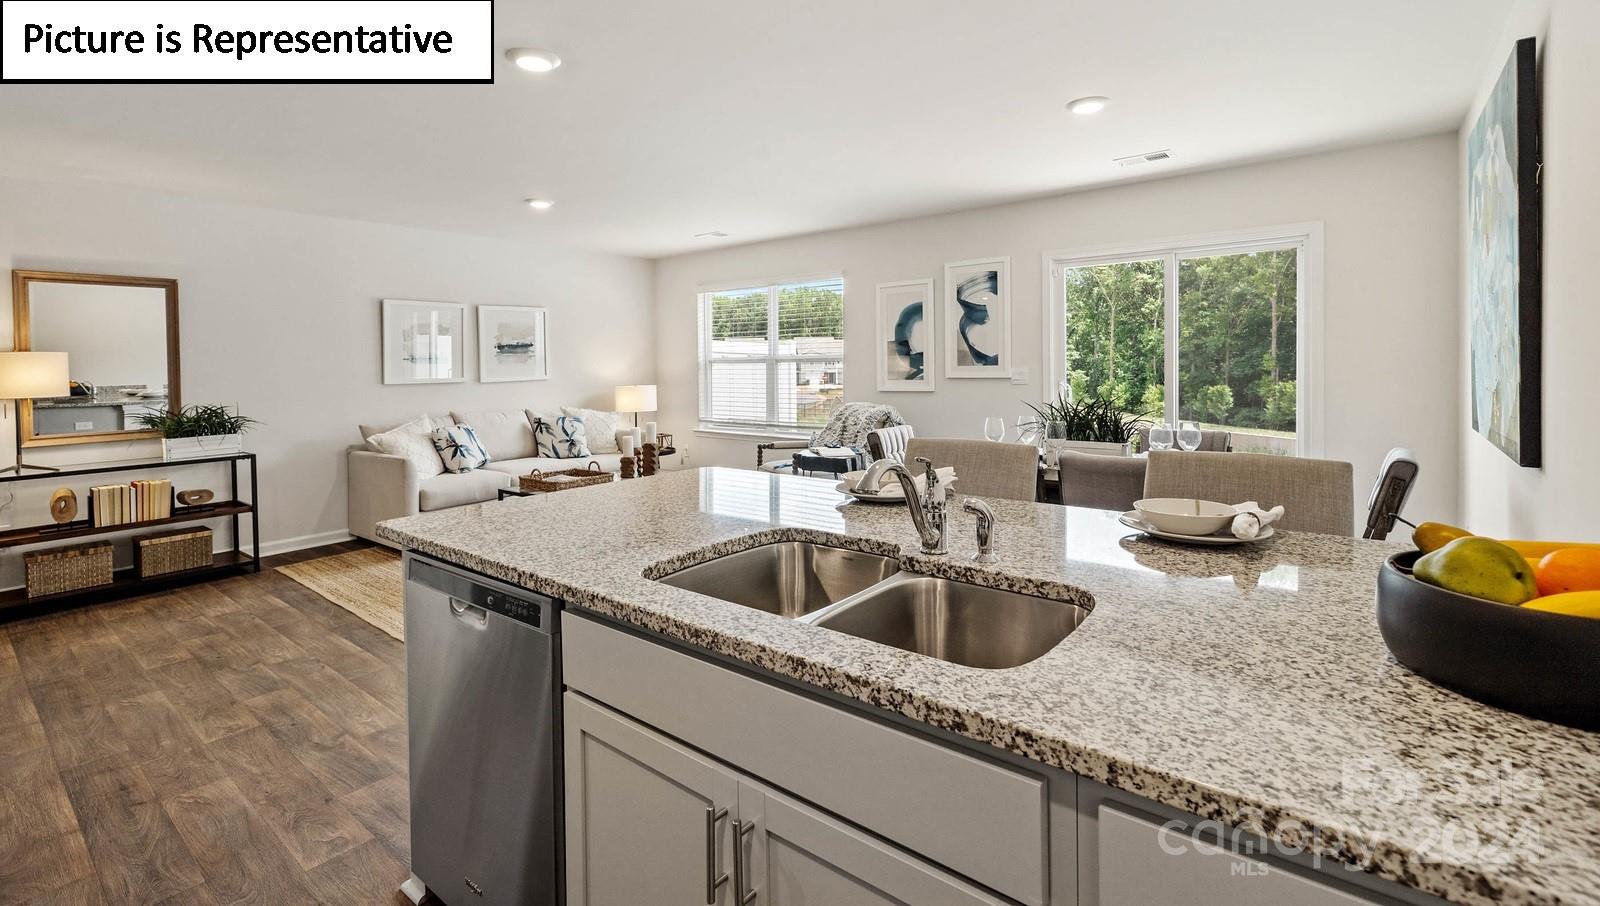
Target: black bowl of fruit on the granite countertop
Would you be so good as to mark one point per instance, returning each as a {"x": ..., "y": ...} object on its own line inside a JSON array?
[{"x": 1514, "y": 625}]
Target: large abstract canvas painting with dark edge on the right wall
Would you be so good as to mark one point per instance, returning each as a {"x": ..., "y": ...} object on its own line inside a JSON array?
[{"x": 1503, "y": 262}]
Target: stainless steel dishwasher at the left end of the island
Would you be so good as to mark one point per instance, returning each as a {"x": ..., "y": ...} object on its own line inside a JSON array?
[{"x": 484, "y": 694}]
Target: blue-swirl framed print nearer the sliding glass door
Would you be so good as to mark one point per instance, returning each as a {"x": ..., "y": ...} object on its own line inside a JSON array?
[{"x": 977, "y": 319}]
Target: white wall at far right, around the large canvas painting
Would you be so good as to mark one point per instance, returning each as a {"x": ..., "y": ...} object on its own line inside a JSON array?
[{"x": 1561, "y": 500}]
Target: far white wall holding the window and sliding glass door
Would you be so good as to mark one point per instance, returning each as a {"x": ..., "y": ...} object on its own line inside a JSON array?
[{"x": 1390, "y": 295}]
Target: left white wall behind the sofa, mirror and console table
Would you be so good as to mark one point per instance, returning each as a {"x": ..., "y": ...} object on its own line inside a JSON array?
[{"x": 281, "y": 318}]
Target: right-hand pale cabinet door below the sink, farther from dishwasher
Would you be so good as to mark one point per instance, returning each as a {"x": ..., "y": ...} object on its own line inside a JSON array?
[{"x": 794, "y": 856}]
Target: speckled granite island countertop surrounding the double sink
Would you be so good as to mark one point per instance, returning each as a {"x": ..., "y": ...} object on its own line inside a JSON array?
[{"x": 1247, "y": 686}]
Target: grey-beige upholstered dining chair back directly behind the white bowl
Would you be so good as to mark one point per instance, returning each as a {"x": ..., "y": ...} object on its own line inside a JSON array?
[{"x": 1318, "y": 495}]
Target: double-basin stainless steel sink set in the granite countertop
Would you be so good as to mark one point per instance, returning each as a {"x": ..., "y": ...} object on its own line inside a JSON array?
[{"x": 868, "y": 596}]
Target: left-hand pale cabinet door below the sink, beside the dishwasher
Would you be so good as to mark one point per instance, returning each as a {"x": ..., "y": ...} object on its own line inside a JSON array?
[{"x": 647, "y": 820}]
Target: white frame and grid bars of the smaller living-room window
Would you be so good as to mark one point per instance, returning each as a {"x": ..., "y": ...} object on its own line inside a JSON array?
[{"x": 774, "y": 359}]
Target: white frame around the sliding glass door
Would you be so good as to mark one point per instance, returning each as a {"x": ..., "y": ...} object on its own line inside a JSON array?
[{"x": 1308, "y": 238}]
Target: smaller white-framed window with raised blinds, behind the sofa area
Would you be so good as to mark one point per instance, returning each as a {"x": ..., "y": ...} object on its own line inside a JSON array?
[{"x": 774, "y": 358}]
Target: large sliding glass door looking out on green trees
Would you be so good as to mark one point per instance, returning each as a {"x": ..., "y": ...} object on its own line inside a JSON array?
[{"x": 1201, "y": 332}]
